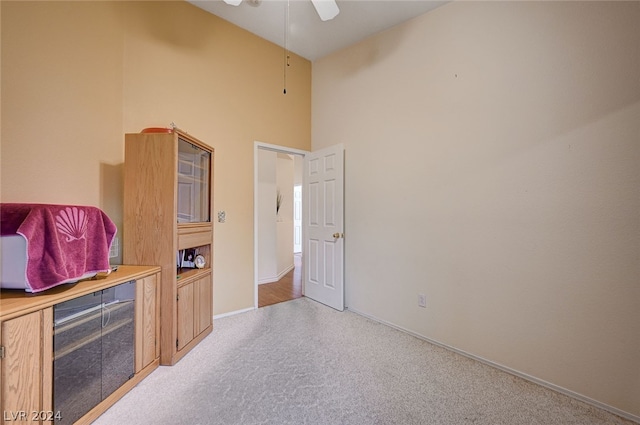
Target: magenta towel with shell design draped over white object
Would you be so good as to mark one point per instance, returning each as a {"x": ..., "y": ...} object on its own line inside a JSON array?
[{"x": 64, "y": 242}]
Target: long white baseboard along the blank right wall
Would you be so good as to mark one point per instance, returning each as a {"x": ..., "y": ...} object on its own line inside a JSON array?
[{"x": 549, "y": 385}]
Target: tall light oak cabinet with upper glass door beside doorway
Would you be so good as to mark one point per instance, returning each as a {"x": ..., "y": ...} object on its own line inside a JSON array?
[{"x": 167, "y": 213}]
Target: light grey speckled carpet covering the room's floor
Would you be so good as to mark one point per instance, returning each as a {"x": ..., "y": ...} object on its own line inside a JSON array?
[{"x": 300, "y": 362}]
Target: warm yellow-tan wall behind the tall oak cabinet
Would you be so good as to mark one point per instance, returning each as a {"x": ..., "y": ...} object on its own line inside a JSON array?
[{"x": 76, "y": 76}]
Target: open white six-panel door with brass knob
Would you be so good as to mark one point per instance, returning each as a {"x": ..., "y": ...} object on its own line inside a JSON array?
[{"x": 323, "y": 226}]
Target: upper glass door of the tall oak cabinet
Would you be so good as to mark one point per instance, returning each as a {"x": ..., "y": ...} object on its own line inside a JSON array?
[{"x": 194, "y": 168}]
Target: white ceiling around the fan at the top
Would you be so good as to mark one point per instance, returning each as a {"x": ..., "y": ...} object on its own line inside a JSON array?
[{"x": 308, "y": 36}]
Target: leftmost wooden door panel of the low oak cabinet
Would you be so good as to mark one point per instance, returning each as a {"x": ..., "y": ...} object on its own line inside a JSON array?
[{"x": 22, "y": 365}]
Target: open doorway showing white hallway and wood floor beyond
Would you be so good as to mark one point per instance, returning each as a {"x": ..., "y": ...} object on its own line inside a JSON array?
[{"x": 278, "y": 258}]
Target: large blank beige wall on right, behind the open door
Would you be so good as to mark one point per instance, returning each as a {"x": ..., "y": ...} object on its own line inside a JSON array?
[{"x": 493, "y": 164}]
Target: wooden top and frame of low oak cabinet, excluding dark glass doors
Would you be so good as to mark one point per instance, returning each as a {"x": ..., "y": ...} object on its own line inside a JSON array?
[{"x": 27, "y": 334}]
